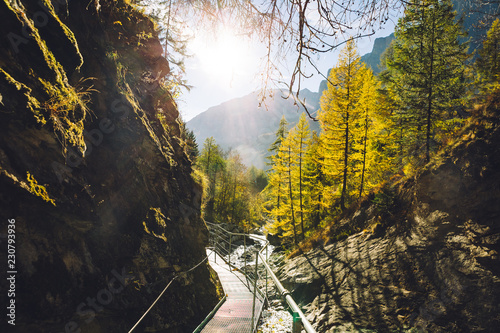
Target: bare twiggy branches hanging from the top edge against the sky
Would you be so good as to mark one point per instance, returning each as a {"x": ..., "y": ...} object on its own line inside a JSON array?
[{"x": 291, "y": 29}]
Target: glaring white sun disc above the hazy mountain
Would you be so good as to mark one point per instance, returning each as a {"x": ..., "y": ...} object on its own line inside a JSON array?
[{"x": 224, "y": 55}]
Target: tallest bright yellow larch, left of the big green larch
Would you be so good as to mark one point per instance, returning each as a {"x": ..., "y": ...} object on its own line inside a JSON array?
[{"x": 339, "y": 119}]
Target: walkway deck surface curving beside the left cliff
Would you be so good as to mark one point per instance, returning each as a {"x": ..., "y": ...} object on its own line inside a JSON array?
[{"x": 235, "y": 315}]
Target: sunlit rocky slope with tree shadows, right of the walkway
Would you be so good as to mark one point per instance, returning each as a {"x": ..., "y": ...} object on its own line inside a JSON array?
[{"x": 431, "y": 259}]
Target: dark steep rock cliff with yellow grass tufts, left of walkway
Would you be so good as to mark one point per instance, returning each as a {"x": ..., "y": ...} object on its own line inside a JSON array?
[{"x": 94, "y": 173}]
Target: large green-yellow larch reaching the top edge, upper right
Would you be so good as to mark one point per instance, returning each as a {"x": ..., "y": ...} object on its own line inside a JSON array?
[{"x": 426, "y": 70}]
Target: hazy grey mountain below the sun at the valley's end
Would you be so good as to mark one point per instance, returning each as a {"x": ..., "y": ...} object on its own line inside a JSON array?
[{"x": 243, "y": 125}]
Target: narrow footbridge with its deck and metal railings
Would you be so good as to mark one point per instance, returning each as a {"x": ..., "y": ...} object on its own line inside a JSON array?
[{"x": 246, "y": 284}]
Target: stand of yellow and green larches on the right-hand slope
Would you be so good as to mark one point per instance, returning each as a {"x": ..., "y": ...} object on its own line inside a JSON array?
[{"x": 375, "y": 130}]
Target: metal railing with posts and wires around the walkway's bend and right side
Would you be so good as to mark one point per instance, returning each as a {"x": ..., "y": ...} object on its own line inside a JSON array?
[{"x": 223, "y": 242}]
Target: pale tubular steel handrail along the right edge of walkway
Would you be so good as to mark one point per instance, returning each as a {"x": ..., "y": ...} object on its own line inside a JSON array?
[{"x": 284, "y": 292}]
